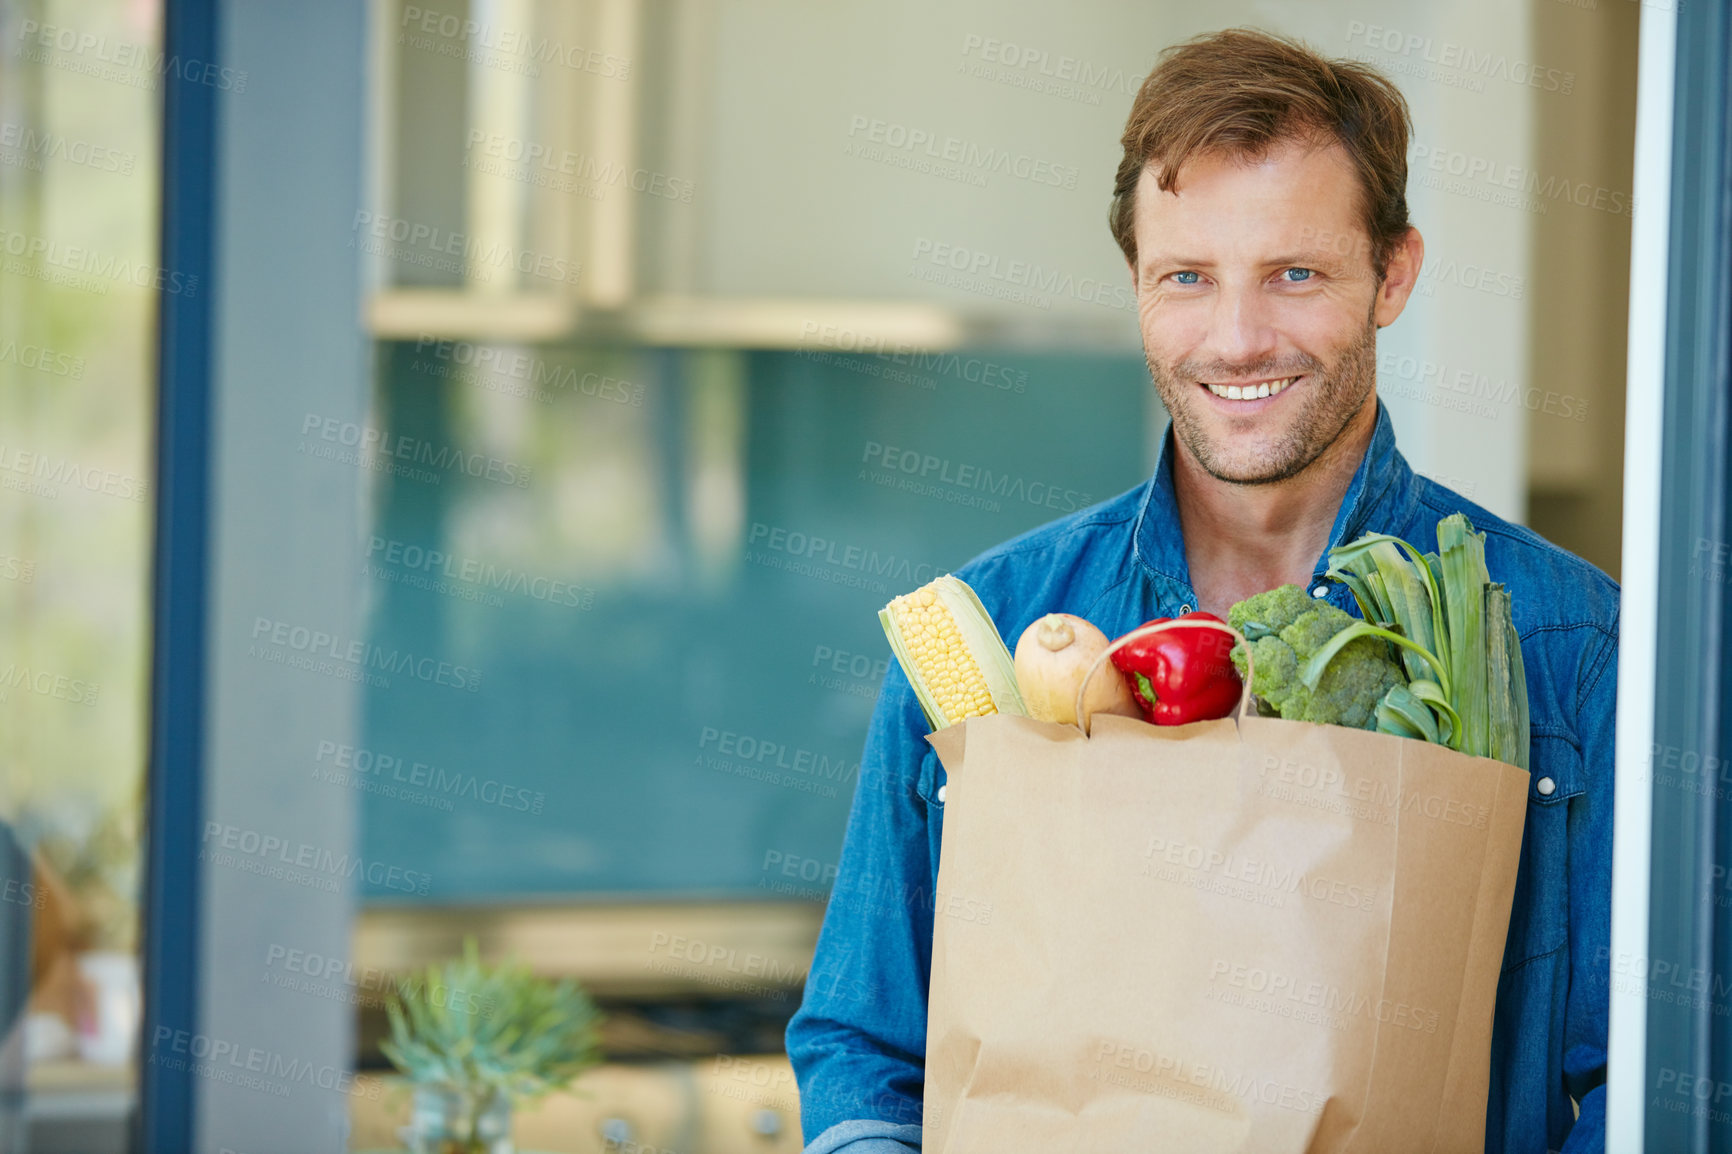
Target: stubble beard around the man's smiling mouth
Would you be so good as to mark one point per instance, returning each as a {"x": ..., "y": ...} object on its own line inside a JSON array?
[{"x": 1328, "y": 401}]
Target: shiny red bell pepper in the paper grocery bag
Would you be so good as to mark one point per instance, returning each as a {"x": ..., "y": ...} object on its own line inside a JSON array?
[{"x": 1182, "y": 675}]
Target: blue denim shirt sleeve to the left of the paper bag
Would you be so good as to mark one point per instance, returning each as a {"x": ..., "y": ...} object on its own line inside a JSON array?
[{"x": 858, "y": 1042}]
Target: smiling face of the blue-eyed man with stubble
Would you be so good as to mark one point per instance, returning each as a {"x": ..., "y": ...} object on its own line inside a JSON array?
[{"x": 1260, "y": 308}]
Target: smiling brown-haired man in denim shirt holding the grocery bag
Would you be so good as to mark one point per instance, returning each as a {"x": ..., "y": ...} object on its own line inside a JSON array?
[{"x": 1262, "y": 211}]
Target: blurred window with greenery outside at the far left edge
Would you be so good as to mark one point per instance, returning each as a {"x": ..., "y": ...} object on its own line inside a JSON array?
[{"x": 79, "y": 287}]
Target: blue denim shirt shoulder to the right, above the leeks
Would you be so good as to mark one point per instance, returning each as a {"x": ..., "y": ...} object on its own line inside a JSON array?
[{"x": 1551, "y": 588}]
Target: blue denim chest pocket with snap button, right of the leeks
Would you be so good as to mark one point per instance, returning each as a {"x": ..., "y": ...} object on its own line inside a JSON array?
[{"x": 1541, "y": 911}]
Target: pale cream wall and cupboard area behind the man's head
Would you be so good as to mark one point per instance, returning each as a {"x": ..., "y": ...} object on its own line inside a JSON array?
[{"x": 803, "y": 200}]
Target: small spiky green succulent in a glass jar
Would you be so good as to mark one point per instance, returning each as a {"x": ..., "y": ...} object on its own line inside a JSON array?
[{"x": 477, "y": 1041}]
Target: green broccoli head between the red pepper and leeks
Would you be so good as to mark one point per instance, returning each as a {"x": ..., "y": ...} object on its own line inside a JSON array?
[{"x": 1286, "y": 630}]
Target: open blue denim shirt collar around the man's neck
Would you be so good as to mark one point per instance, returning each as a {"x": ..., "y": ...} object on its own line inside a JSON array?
[{"x": 1380, "y": 495}]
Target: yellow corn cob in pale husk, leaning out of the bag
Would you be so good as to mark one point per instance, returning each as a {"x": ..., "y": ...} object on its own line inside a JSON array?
[{"x": 952, "y": 652}]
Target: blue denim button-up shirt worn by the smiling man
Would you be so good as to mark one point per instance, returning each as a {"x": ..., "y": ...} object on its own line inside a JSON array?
[{"x": 858, "y": 1042}]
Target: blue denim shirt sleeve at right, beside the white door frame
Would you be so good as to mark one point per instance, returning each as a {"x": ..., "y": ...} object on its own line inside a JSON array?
[{"x": 1591, "y": 907}]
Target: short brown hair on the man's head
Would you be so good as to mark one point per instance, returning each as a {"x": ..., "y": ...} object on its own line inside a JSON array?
[{"x": 1241, "y": 93}]
